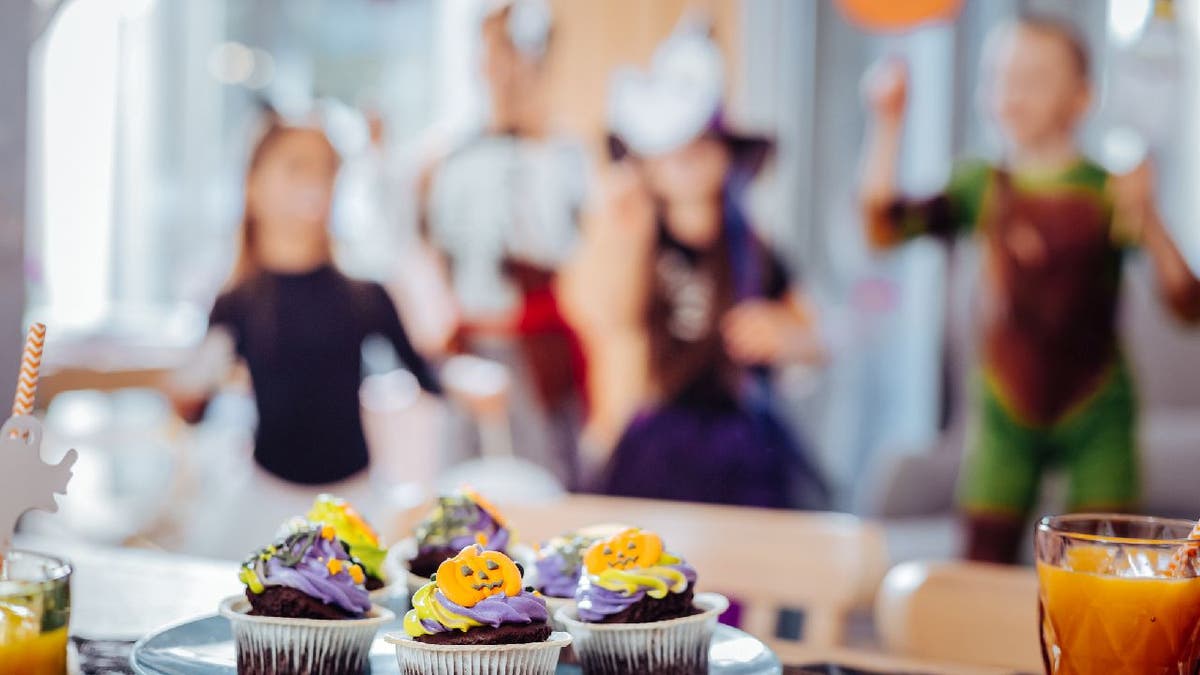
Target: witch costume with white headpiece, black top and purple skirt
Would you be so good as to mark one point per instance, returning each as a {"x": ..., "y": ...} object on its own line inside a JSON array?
[{"x": 712, "y": 437}]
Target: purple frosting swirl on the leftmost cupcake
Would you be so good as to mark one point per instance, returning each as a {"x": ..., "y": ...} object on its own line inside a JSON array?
[{"x": 311, "y": 576}]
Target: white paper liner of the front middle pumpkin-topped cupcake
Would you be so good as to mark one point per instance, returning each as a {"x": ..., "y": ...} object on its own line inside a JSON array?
[{"x": 530, "y": 659}]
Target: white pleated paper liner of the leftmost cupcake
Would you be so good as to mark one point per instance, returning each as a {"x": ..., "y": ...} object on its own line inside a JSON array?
[{"x": 273, "y": 644}]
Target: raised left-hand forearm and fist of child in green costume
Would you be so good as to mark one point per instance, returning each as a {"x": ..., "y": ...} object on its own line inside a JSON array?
[{"x": 887, "y": 91}]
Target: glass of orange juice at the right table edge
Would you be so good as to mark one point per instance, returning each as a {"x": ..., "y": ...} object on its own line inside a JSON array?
[{"x": 1109, "y": 604}]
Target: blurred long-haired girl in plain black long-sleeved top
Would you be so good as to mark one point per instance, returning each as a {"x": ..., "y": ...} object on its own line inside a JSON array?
[{"x": 298, "y": 322}]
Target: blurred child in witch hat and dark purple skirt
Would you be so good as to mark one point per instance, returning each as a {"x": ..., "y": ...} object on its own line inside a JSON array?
[{"x": 681, "y": 308}]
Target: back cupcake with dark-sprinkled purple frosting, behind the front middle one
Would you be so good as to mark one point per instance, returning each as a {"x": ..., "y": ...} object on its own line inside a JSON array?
[{"x": 460, "y": 519}]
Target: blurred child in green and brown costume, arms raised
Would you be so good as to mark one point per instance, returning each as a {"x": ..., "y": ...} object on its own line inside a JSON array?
[{"x": 1054, "y": 387}]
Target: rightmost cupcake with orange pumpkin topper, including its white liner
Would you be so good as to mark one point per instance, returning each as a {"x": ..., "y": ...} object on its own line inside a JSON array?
[{"x": 637, "y": 610}]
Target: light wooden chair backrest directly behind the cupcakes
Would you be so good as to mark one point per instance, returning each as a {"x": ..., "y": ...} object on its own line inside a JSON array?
[{"x": 821, "y": 563}]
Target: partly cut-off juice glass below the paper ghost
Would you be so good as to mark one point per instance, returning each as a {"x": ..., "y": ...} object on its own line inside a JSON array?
[{"x": 35, "y": 607}]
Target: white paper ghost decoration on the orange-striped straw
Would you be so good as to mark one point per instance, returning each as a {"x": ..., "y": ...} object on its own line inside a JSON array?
[{"x": 26, "y": 481}]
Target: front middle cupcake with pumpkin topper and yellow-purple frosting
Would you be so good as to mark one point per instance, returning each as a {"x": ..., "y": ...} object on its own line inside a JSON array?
[{"x": 473, "y": 617}]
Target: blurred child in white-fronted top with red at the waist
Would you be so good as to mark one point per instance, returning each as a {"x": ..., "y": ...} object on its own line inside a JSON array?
[{"x": 501, "y": 211}]
